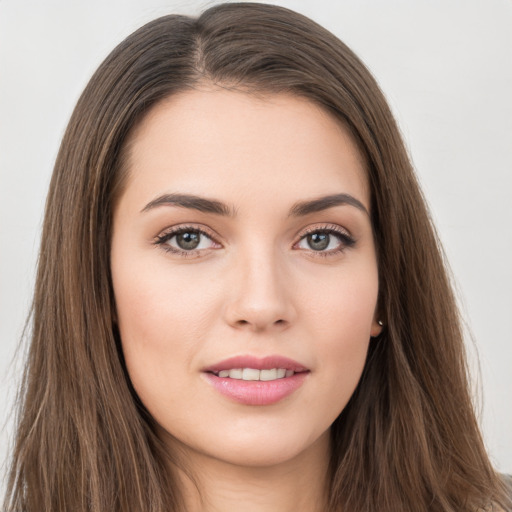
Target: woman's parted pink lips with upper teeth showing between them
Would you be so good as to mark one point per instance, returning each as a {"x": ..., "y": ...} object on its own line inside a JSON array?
[{"x": 256, "y": 381}]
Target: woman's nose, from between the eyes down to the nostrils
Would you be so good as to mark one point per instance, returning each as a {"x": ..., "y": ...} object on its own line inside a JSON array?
[{"x": 261, "y": 296}]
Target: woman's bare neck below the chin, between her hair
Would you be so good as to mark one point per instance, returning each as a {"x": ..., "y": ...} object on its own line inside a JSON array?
[{"x": 299, "y": 484}]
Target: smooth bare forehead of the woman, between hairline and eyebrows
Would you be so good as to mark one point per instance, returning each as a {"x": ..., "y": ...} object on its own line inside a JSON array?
[{"x": 237, "y": 146}]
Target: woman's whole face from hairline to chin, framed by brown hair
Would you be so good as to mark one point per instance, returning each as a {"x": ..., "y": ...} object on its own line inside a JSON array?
[{"x": 244, "y": 272}]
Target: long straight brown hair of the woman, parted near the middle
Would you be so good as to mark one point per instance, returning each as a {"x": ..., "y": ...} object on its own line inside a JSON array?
[{"x": 407, "y": 440}]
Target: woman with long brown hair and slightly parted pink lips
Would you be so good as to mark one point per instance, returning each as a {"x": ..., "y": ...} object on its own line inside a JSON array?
[{"x": 241, "y": 301}]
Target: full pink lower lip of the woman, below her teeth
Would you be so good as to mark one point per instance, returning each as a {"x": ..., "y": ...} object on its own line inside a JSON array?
[{"x": 257, "y": 392}]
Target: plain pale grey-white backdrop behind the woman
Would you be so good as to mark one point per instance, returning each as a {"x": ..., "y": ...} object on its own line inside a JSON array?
[{"x": 446, "y": 69}]
